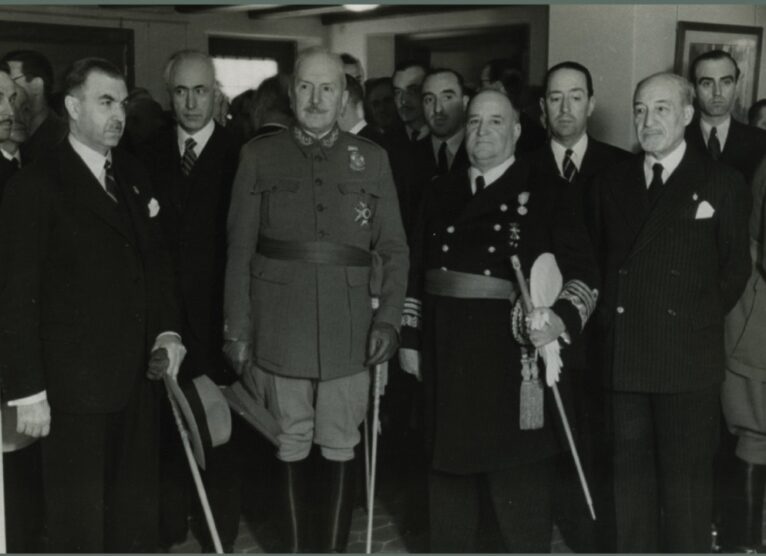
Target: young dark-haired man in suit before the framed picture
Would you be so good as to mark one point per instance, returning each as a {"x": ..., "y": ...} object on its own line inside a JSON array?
[{"x": 715, "y": 75}]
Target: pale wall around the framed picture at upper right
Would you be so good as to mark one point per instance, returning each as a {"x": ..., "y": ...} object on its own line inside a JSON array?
[{"x": 622, "y": 44}]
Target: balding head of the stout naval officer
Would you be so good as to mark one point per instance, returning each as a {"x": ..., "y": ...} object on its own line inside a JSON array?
[{"x": 492, "y": 130}]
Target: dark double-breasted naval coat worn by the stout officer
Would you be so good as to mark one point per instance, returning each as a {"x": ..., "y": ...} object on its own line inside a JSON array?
[{"x": 471, "y": 361}]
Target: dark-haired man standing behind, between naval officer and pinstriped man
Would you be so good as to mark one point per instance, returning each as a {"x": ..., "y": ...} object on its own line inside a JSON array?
[{"x": 570, "y": 159}]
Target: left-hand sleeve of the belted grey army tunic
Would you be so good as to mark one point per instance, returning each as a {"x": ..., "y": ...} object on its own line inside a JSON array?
[{"x": 242, "y": 235}]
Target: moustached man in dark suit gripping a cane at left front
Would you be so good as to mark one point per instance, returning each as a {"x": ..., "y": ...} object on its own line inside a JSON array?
[{"x": 88, "y": 297}]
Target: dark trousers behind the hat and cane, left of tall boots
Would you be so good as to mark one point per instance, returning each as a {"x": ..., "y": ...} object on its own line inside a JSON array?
[{"x": 222, "y": 478}]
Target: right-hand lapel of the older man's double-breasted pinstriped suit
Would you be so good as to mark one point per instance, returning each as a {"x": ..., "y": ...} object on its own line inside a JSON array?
[{"x": 678, "y": 189}]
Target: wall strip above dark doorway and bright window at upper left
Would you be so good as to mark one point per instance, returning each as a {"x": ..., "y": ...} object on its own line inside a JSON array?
[{"x": 158, "y": 33}]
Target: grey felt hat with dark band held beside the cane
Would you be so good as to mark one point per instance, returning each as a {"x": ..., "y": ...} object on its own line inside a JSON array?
[{"x": 204, "y": 411}]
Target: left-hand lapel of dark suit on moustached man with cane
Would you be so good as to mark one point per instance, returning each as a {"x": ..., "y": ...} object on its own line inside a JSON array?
[{"x": 89, "y": 191}]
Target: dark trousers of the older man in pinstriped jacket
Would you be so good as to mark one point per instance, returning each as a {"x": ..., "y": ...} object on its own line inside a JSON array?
[{"x": 663, "y": 464}]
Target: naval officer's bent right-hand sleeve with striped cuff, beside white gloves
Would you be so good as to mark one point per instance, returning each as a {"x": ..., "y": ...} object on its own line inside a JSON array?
[{"x": 574, "y": 254}]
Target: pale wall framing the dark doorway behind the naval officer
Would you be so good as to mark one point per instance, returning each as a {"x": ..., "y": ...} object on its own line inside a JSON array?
[{"x": 372, "y": 41}]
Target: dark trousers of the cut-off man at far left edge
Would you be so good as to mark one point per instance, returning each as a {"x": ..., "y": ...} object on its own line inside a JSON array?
[{"x": 23, "y": 483}]
